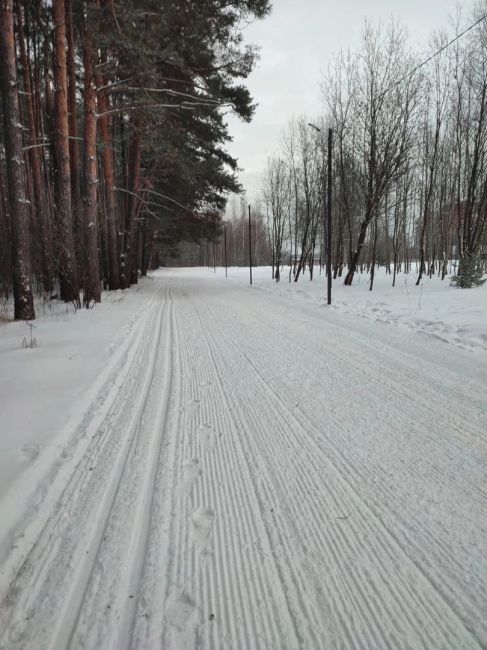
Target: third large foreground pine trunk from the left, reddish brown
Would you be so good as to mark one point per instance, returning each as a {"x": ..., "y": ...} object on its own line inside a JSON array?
[{"x": 90, "y": 208}]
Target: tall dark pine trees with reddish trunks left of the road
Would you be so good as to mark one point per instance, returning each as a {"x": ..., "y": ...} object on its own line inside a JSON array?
[{"x": 112, "y": 149}]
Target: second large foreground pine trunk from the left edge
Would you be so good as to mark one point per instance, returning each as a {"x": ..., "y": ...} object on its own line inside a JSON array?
[{"x": 68, "y": 275}]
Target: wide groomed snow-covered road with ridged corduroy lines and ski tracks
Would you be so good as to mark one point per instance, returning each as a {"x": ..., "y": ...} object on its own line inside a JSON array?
[{"x": 256, "y": 473}]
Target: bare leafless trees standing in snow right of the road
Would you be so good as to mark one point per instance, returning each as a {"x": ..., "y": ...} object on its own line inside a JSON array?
[{"x": 409, "y": 176}]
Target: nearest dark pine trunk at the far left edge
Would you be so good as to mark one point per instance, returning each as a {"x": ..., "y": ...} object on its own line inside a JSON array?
[{"x": 23, "y": 298}]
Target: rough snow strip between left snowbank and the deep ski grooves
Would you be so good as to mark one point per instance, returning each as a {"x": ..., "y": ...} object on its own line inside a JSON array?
[{"x": 43, "y": 602}]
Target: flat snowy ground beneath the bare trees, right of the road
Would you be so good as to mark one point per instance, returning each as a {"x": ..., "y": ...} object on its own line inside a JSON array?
[{"x": 435, "y": 308}]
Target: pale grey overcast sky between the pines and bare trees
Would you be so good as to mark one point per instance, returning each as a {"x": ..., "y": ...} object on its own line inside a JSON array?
[{"x": 297, "y": 42}]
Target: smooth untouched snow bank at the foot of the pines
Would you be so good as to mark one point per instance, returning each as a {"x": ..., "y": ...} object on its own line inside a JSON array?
[{"x": 44, "y": 389}]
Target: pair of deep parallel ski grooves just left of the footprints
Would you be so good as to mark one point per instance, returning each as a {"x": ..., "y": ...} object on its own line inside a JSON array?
[{"x": 111, "y": 587}]
